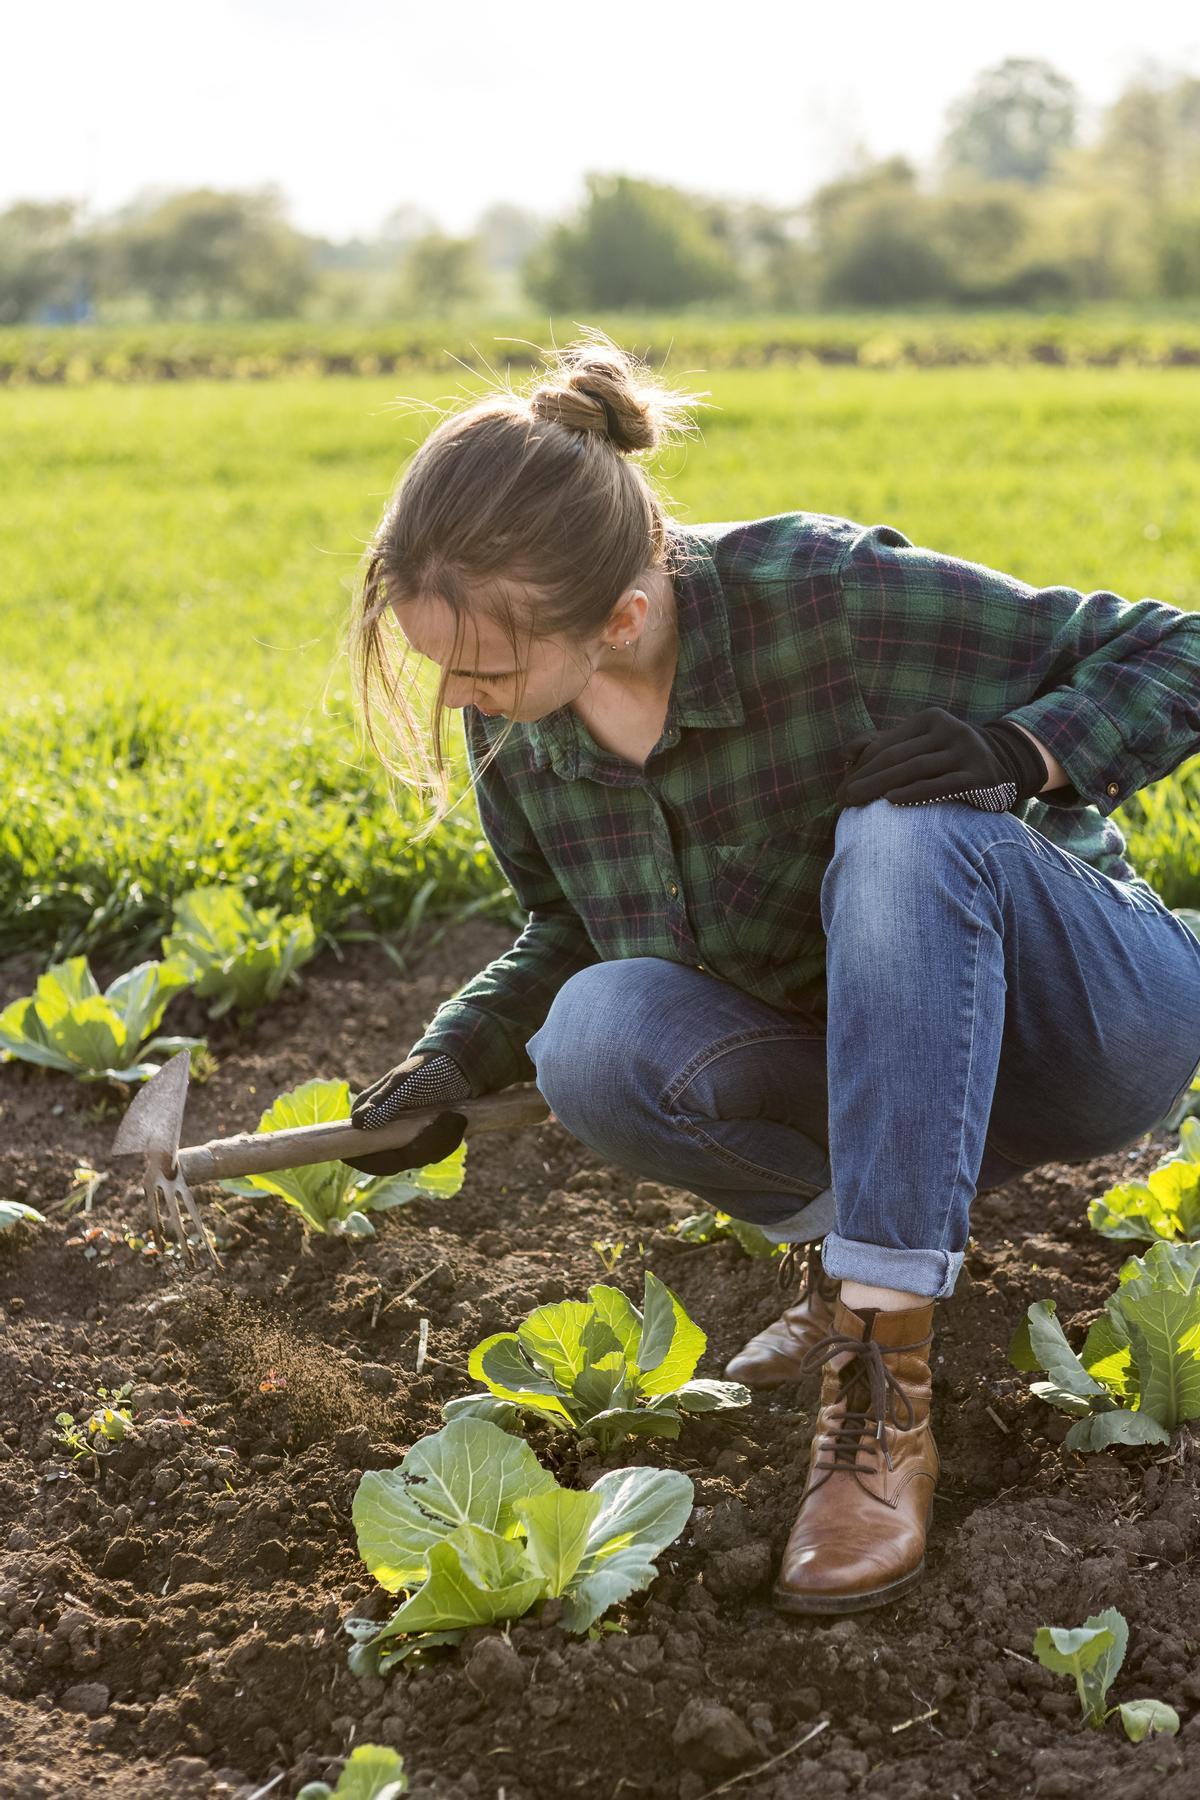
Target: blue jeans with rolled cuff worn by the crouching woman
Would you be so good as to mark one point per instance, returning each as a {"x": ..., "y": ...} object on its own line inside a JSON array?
[{"x": 994, "y": 1003}]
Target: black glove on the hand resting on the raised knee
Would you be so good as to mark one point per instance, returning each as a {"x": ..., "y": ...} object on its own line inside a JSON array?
[{"x": 938, "y": 757}]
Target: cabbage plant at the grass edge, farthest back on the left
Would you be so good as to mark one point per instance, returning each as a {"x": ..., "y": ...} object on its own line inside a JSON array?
[{"x": 235, "y": 955}]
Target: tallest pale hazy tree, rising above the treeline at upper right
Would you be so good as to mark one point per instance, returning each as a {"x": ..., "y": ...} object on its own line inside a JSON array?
[{"x": 1014, "y": 123}]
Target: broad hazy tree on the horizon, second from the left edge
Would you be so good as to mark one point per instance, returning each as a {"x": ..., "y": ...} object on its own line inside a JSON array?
[{"x": 211, "y": 253}]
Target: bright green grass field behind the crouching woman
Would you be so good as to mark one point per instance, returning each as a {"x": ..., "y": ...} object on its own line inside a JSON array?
[{"x": 177, "y": 562}]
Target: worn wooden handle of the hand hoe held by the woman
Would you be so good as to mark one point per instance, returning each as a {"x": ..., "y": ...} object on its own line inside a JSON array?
[{"x": 334, "y": 1140}]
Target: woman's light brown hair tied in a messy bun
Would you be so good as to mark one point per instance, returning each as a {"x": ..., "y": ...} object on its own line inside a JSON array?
[{"x": 532, "y": 489}]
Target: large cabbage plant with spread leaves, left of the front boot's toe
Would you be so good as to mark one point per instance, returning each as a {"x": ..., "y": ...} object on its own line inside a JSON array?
[{"x": 472, "y": 1529}]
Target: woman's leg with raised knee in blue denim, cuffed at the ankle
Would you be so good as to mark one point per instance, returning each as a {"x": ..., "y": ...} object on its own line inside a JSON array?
[{"x": 983, "y": 982}]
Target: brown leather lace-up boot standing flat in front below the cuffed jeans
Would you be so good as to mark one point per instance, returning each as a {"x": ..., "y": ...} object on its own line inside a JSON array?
[{"x": 859, "y": 1538}]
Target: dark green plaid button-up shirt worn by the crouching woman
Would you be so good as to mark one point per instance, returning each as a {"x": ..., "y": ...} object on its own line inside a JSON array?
[{"x": 794, "y": 634}]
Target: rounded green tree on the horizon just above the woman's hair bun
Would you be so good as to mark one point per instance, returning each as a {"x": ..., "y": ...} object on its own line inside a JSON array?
[{"x": 634, "y": 244}]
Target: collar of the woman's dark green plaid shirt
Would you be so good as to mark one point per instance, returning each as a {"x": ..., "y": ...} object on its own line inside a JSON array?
[{"x": 704, "y": 690}]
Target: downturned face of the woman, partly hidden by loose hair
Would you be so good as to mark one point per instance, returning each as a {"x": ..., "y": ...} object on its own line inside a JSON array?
[{"x": 487, "y": 674}]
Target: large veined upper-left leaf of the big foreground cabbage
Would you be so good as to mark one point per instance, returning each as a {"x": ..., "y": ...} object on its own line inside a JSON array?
[{"x": 469, "y": 1473}]
